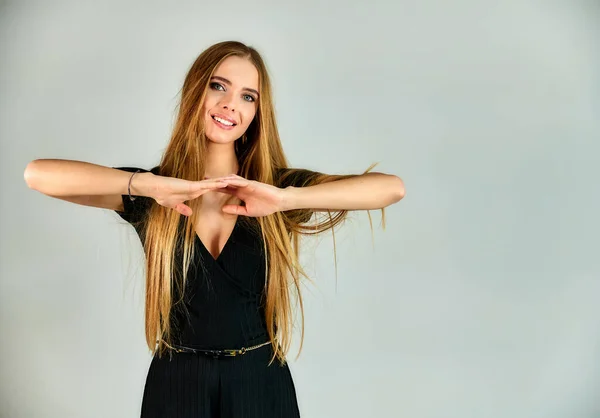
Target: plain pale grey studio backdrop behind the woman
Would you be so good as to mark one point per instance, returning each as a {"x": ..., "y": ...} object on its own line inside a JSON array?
[{"x": 480, "y": 299}]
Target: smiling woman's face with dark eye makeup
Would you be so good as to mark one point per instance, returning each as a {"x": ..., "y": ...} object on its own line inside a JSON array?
[{"x": 231, "y": 100}]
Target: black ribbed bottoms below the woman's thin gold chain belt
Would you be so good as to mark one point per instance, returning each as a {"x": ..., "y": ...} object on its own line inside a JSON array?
[{"x": 191, "y": 385}]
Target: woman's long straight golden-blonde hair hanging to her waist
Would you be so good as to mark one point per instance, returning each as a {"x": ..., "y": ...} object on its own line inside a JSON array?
[{"x": 260, "y": 158}]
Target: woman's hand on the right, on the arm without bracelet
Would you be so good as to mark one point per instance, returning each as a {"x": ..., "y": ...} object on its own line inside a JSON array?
[{"x": 260, "y": 199}]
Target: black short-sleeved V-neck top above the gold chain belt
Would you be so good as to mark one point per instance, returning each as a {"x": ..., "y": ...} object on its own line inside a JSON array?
[{"x": 225, "y": 296}]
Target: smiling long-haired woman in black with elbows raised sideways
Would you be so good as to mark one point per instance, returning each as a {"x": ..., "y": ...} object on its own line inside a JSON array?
[{"x": 218, "y": 298}]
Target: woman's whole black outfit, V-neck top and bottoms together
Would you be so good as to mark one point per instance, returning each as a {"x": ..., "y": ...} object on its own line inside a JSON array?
[{"x": 225, "y": 301}]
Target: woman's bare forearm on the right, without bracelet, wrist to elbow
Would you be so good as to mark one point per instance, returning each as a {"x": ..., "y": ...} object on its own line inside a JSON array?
[{"x": 365, "y": 192}]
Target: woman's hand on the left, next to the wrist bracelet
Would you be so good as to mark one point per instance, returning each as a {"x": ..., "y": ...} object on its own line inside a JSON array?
[{"x": 171, "y": 192}]
